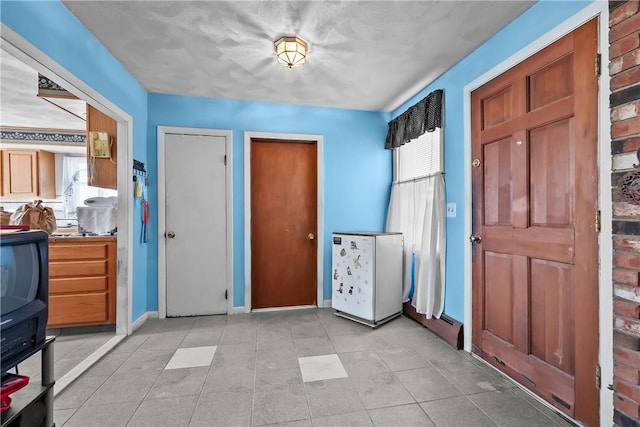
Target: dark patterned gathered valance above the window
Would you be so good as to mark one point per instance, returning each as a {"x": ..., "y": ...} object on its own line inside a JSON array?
[{"x": 425, "y": 116}]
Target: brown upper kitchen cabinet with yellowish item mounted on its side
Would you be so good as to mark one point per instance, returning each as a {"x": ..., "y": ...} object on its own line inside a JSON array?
[{"x": 101, "y": 149}]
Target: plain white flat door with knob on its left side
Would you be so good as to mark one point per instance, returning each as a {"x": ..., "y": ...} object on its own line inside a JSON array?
[{"x": 195, "y": 224}]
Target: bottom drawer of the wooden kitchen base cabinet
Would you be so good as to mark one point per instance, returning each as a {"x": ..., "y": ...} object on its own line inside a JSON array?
[{"x": 66, "y": 310}]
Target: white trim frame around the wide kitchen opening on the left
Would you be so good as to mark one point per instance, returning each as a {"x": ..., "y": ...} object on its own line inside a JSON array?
[{"x": 20, "y": 48}]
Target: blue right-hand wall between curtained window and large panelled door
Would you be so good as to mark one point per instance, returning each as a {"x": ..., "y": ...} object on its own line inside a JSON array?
[{"x": 536, "y": 21}]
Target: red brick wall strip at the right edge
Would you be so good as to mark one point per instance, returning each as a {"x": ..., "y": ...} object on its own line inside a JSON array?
[{"x": 624, "y": 69}]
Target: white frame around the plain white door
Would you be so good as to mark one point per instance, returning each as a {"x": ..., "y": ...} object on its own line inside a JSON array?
[{"x": 162, "y": 246}]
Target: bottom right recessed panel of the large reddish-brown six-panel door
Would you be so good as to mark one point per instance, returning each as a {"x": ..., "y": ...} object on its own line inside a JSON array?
[{"x": 552, "y": 299}]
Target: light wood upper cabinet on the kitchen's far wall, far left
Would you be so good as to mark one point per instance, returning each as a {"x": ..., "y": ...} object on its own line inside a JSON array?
[{"x": 28, "y": 174}]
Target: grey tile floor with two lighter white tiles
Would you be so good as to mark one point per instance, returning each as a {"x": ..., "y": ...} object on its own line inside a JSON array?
[{"x": 293, "y": 368}]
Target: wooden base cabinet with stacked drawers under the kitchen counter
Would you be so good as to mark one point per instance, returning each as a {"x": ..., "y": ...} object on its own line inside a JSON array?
[{"x": 82, "y": 281}]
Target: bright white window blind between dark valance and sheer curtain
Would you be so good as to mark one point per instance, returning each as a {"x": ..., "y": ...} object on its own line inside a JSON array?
[{"x": 420, "y": 157}]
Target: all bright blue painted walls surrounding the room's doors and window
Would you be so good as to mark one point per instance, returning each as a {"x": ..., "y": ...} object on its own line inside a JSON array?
[{"x": 356, "y": 169}]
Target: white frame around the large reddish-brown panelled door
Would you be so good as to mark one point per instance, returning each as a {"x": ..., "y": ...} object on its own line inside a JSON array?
[{"x": 595, "y": 9}]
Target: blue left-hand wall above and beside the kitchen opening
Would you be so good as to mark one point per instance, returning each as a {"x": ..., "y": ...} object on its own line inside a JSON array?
[{"x": 50, "y": 27}]
